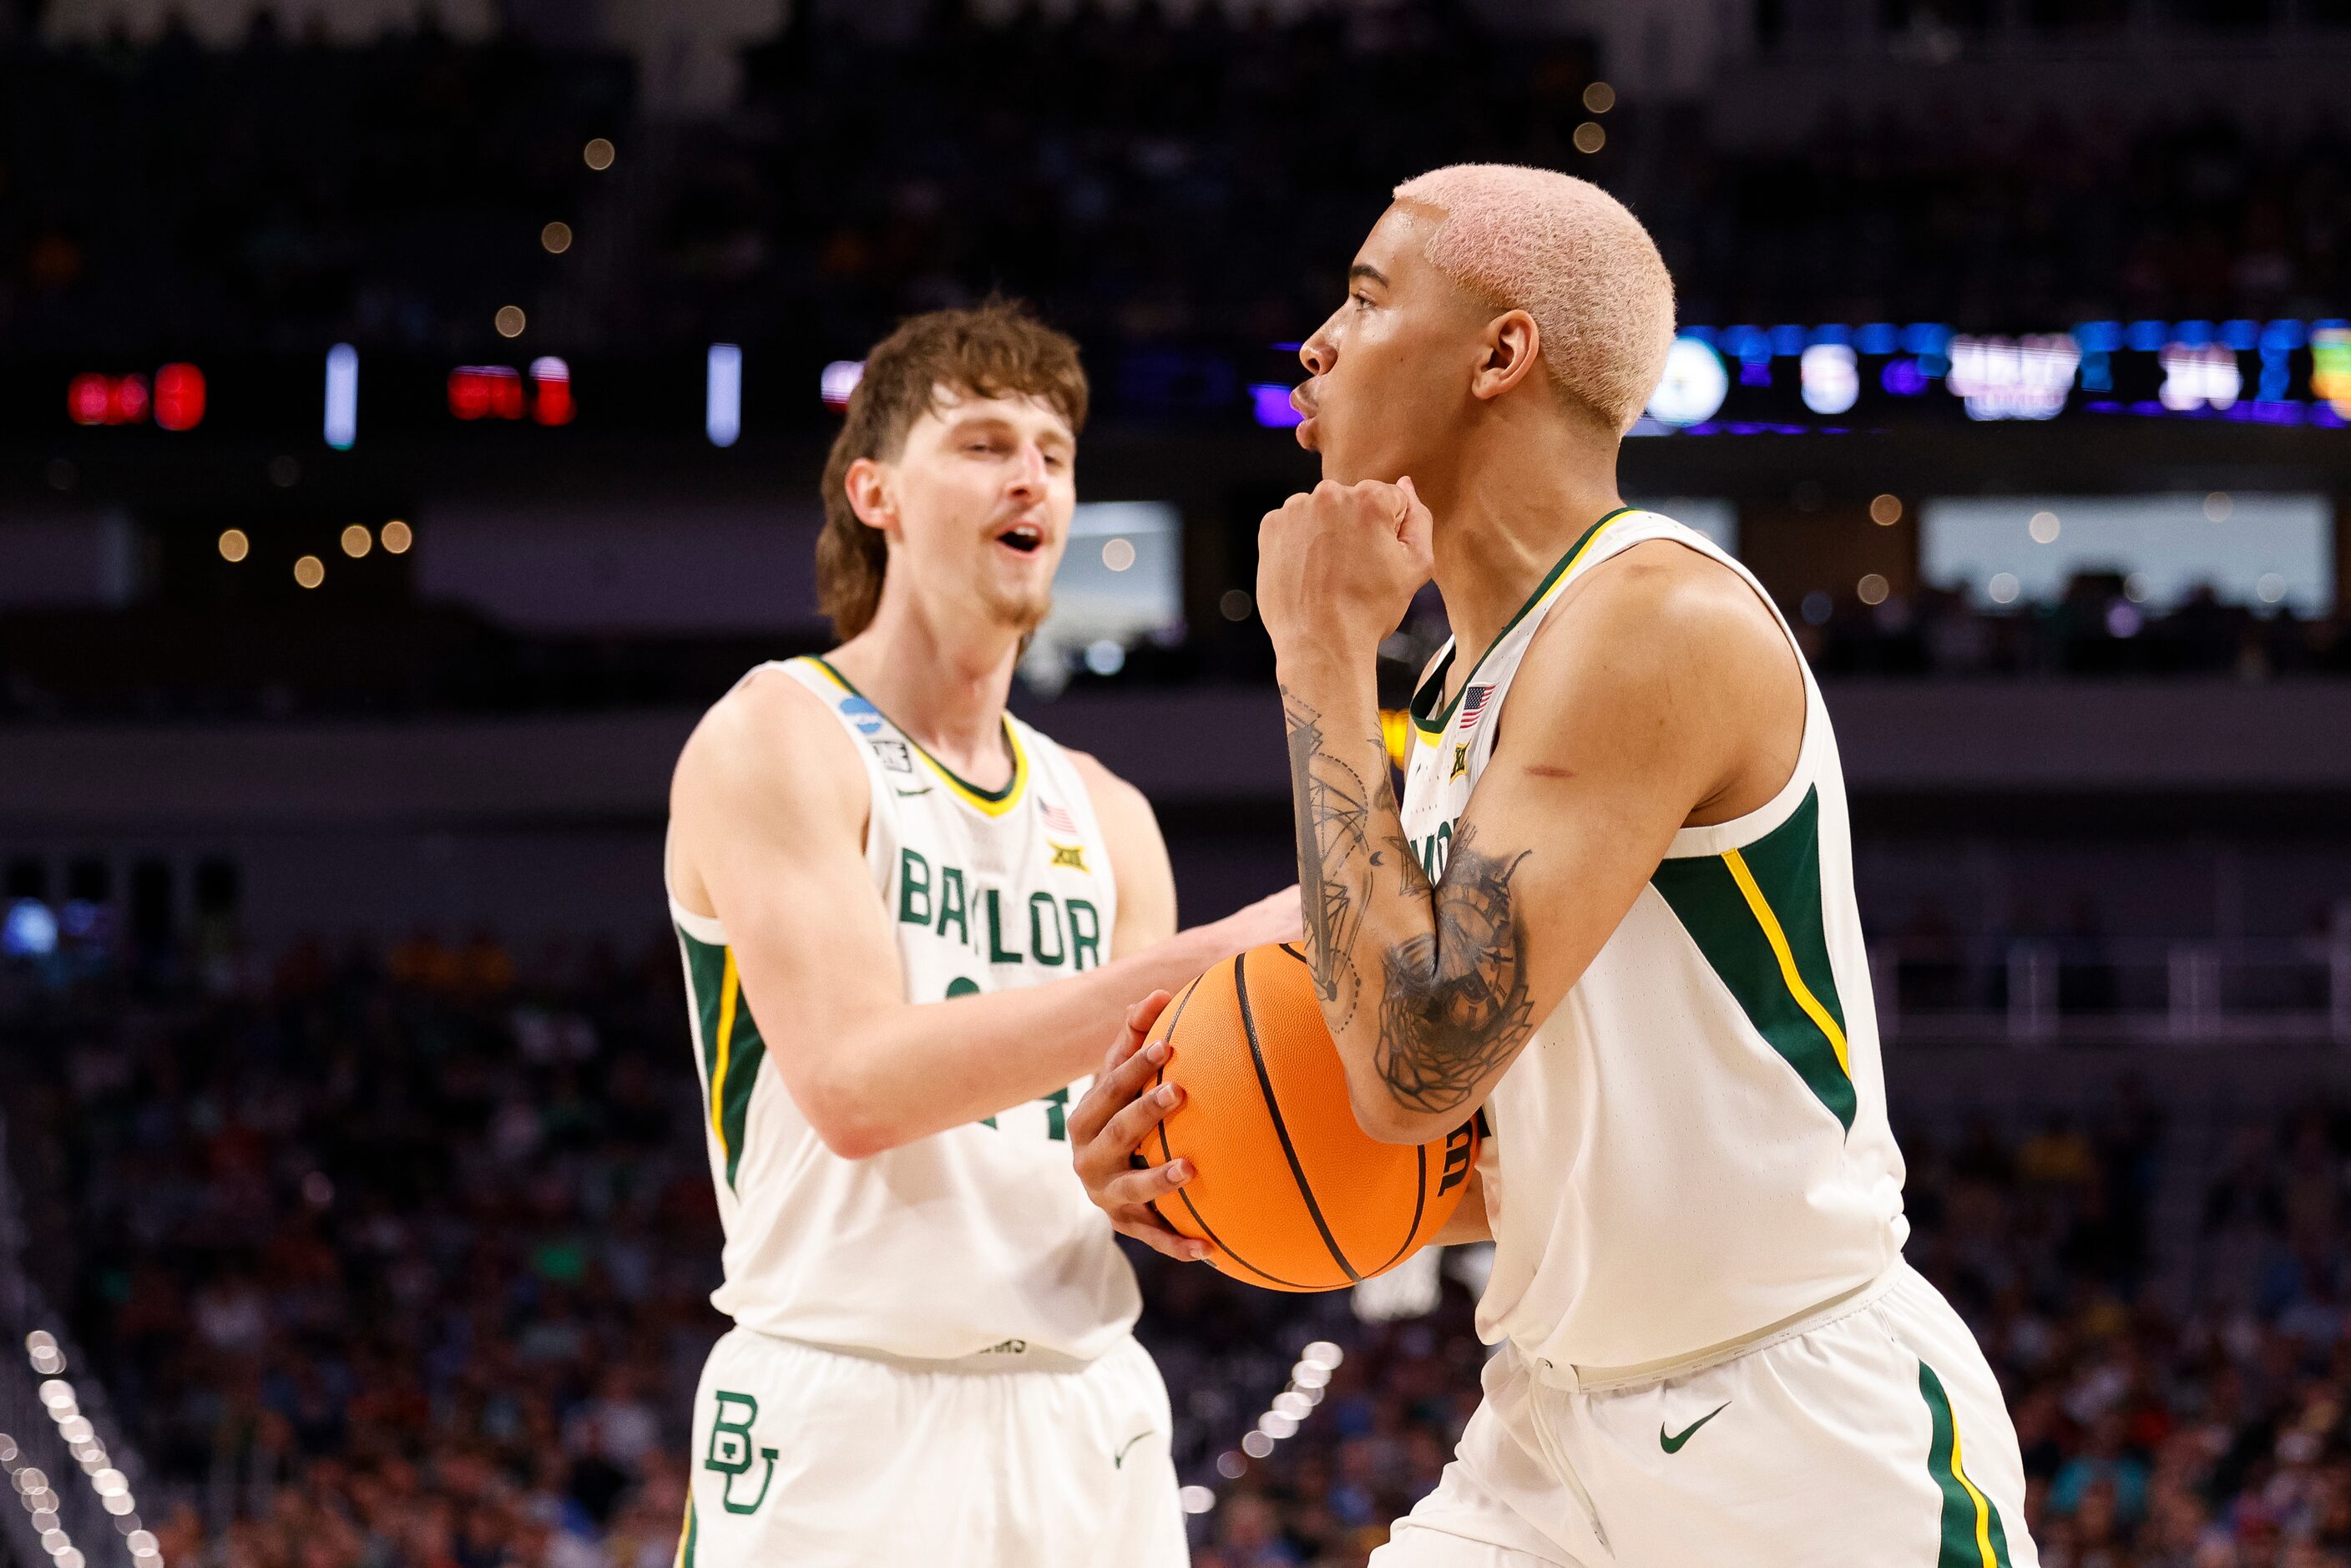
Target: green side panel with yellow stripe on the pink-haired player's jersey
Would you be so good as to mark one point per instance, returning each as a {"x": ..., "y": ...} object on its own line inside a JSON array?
[{"x": 1757, "y": 918}]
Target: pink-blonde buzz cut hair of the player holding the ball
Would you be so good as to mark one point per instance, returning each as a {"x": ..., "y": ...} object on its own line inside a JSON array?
[{"x": 1572, "y": 257}]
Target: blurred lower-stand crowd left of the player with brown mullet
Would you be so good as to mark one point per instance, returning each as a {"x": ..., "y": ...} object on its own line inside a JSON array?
[{"x": 382, "y": 1261}]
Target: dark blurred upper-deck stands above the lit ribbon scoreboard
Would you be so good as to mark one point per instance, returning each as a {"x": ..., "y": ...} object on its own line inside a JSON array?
[{"x": 1148, "y": 177}]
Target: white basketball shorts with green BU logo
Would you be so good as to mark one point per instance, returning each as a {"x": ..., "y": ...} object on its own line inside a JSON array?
[{"x": 822, "y": 1459}]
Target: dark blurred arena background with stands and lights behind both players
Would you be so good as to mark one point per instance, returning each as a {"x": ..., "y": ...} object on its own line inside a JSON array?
[{"x": 410, "y": 420}]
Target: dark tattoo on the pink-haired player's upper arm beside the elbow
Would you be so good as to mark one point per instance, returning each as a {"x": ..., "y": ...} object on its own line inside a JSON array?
[{"x": 1456, "y": 1003}]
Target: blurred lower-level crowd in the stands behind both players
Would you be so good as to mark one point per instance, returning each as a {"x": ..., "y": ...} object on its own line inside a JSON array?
[{"x": 403, "y": 1264}]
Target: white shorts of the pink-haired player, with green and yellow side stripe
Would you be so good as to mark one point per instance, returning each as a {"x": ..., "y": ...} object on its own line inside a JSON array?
[{"x": 1870, "y": 1438}]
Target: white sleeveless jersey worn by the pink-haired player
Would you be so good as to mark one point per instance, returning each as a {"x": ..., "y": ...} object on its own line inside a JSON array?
[{"x": 1694, "y": 1144}]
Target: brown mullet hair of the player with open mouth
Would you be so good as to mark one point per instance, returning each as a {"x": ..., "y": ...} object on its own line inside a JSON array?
[{"x": 991, "y": 351}]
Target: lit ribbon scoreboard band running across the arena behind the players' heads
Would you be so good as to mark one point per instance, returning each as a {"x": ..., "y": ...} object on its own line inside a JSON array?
[{"x": 1790, "y": 380}]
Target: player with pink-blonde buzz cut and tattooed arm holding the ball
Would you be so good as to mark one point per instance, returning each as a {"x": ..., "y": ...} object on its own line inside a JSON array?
[{"x": 1614, "y": 913}]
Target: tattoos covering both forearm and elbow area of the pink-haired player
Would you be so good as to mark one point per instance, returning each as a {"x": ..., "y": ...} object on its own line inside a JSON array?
[{"x": 1454, "y": 1000}]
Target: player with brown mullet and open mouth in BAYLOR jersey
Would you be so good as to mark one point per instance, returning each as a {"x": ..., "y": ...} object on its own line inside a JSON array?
[{"x": 909, "y": 920}]
